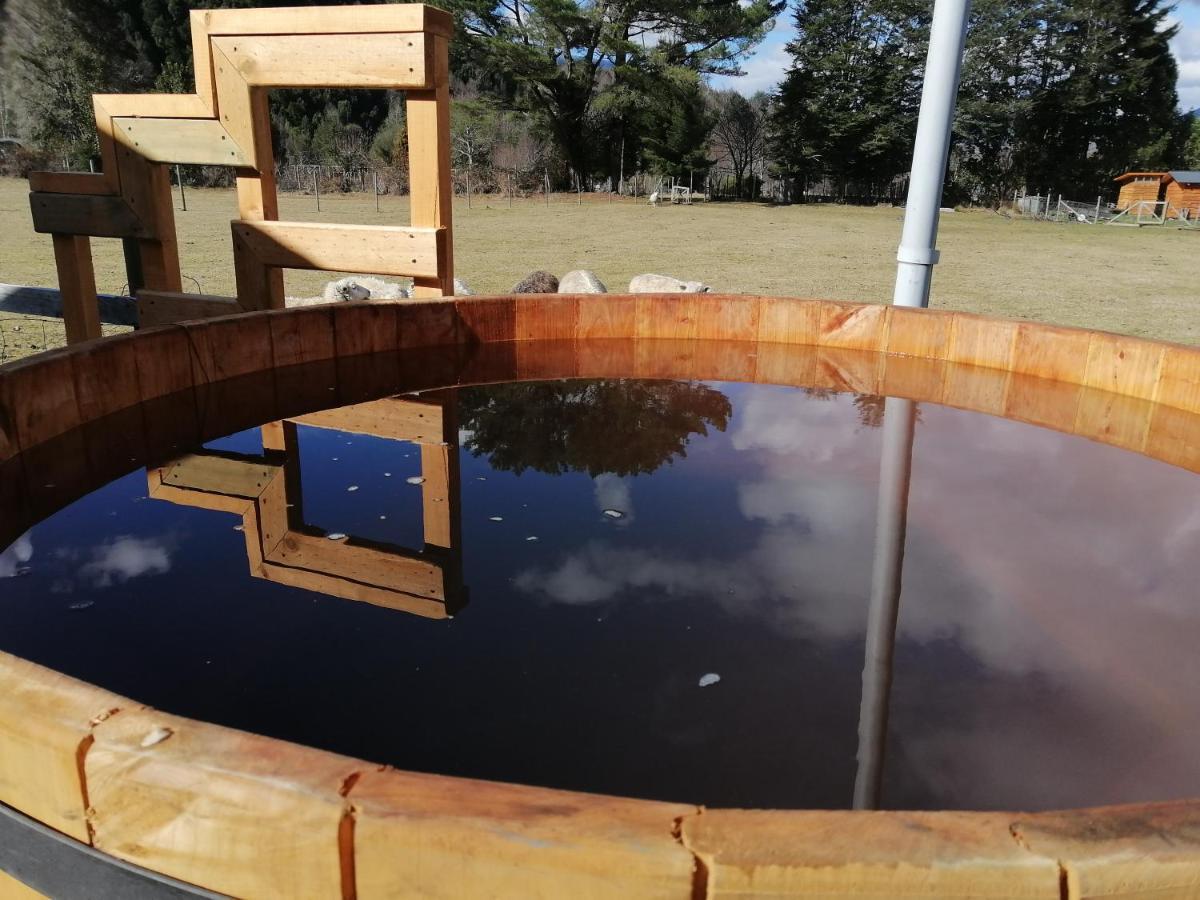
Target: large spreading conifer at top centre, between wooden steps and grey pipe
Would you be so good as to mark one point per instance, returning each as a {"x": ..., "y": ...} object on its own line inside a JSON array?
[{"x": 560, "y": 57}]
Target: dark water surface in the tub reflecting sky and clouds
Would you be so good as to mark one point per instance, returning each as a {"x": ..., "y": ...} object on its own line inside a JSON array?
[{"x": 581, "y": 555}]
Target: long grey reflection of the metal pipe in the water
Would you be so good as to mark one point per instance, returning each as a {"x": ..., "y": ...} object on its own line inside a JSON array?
[{"x": 896, "y": 471}]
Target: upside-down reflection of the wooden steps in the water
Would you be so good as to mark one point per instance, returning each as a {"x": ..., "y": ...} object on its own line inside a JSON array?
[{"x": 266, "y": 491}]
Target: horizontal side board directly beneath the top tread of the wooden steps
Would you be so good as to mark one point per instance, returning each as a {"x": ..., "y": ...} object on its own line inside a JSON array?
[{"x": 393, "y": 62}]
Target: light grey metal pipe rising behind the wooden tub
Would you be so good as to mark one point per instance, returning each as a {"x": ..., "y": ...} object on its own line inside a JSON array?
[{"x": 919, "y": 242}]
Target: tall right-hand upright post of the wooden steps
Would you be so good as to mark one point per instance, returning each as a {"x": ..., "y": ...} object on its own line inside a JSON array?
[{"x": 431, "y": 196}]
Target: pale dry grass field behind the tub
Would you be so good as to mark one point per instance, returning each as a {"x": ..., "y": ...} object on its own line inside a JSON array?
[{"x": 1136, "y": 281}]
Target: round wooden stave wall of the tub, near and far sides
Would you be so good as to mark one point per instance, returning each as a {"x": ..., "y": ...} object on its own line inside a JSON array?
[{"x": 251, "y": 817}]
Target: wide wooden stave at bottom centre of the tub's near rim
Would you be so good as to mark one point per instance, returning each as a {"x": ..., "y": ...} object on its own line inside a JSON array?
[{"x": 424, "y": 836}]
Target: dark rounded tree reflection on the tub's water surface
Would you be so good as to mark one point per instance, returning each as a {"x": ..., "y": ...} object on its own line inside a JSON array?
[{"x": 569, "y": 427}]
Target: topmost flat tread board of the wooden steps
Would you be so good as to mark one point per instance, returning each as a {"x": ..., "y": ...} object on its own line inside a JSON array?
[{"x": 326, "y": 21}]
